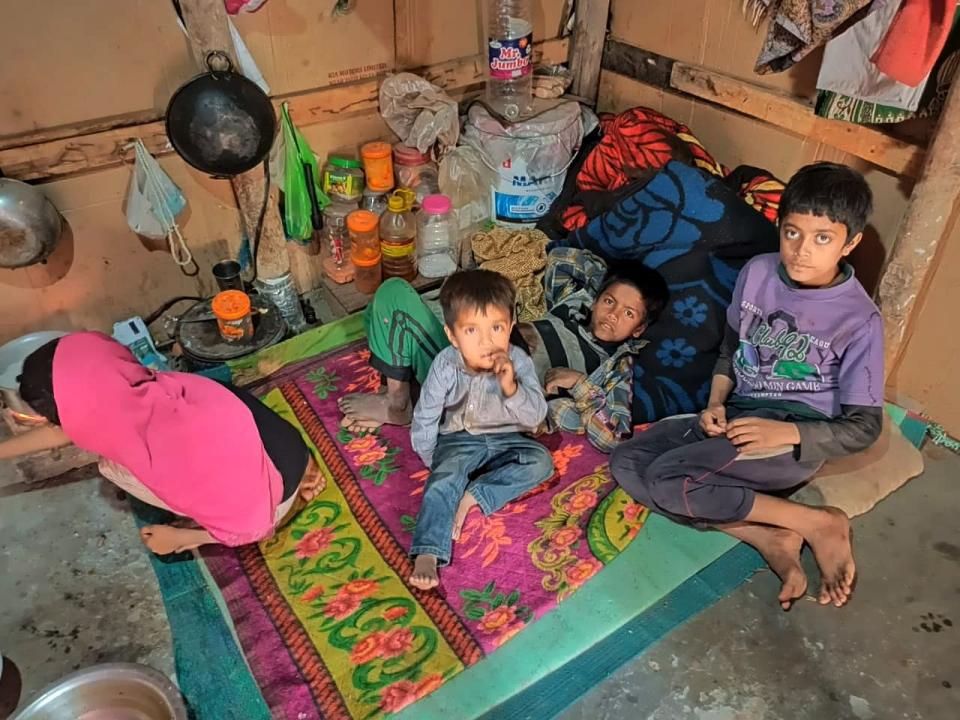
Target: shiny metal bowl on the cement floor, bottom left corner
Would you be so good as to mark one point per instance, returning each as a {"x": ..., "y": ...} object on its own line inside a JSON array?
[{"x": 113, "y": 691}]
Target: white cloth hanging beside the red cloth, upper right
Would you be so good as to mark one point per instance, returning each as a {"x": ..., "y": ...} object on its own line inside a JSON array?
[{"x": 847, "y": 68}]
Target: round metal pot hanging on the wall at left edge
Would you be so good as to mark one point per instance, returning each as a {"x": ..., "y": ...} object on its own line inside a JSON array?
[{"x": 29, "y": 224}]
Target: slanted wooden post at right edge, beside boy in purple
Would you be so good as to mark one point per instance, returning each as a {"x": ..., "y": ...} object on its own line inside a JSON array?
[{"x": 927, "y": 220}]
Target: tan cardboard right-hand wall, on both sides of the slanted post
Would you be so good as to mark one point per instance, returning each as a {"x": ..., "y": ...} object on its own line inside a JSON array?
[{"x": 713, "y": 33}]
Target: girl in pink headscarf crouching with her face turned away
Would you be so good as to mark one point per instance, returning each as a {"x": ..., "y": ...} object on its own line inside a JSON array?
[{"x": 203, "y": 450}]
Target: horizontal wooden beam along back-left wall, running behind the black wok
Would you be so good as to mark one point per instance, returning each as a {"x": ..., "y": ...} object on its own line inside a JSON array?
[{"x": 104, "y": 147}]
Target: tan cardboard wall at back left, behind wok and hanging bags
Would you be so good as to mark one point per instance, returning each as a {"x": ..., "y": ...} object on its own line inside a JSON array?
[{"x": 91, "y": 59}]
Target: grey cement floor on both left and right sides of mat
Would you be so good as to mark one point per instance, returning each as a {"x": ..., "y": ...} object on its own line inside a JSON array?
[{"x": 76, "y": 588}]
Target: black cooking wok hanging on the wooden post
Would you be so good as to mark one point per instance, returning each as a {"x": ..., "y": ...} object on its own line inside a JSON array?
[{"x": 220, "y": 122}]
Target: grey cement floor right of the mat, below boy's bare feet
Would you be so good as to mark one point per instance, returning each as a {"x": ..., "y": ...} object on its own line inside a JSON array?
[{"x": 894, "y": 652}]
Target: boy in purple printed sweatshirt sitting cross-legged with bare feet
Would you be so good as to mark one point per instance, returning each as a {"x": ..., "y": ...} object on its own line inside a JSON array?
[{"x": 799, "y": 380}]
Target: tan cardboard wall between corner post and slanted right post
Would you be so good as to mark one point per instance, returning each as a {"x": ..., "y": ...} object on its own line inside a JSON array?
[{"x": 715, "y": 34}]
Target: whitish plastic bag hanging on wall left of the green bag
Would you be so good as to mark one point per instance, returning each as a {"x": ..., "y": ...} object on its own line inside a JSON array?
[{"x": 153, "y": 203}]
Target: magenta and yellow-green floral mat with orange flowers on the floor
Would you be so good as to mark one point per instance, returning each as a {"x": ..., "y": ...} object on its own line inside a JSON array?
[{"x": 323, "y": 613}]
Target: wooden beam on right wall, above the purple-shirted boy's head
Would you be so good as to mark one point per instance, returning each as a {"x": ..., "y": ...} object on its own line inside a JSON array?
[{"x": 771, "y": 106}]
